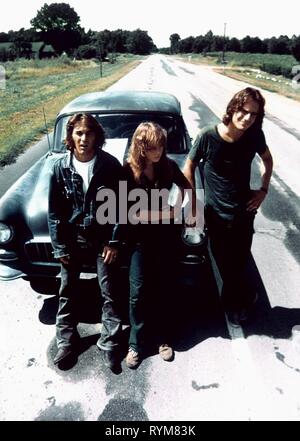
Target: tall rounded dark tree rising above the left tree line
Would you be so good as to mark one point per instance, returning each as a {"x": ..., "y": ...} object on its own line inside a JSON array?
[{"x": 59, "y": 25}]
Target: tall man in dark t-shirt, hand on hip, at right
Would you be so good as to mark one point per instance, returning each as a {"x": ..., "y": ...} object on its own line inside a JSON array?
[{"x": 230, "y": 204}]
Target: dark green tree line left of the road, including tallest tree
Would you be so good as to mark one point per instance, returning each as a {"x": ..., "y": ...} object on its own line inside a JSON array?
[{"x": 58, "y": 25}]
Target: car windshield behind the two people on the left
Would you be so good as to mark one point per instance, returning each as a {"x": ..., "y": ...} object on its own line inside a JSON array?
[{"x": 119, "y": 129}]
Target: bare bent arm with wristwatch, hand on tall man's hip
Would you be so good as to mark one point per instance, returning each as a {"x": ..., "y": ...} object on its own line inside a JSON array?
[{"x": 258, "y": 196}]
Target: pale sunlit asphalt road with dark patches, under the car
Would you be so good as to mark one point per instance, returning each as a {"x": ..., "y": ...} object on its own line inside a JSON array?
[{"x": 219, "y": 373}]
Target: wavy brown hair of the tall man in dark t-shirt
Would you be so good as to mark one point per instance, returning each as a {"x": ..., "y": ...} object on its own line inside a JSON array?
[{"x": 237, "y": 102}]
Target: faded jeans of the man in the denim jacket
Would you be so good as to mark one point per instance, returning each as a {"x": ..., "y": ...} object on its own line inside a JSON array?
[{"x": 66, "y": 321}]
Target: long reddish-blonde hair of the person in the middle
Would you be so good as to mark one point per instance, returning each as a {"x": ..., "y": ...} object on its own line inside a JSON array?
[{"x": 147, "y": 135}]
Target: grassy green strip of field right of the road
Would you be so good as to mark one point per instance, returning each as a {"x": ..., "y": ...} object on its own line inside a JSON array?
[{"x": 254, "y": 69}]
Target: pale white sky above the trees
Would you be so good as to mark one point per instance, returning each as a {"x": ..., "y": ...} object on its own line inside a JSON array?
[{"x": 161, "y": 18}]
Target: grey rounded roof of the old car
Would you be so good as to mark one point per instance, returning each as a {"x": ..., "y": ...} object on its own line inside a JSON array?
[{"x": 123, "y": 101}]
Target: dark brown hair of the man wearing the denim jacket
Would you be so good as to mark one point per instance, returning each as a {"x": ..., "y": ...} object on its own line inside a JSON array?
[{"x": 91, "y": 123}]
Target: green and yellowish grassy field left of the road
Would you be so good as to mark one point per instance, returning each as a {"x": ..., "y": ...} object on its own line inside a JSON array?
[{"x": 34, "y": 84}]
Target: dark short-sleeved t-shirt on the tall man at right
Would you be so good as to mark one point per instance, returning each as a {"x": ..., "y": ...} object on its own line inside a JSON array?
[{"x": 227, "y": 168}]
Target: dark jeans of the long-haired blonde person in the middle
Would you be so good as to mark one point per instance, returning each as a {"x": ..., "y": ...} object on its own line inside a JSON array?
[{"x": 152, "y": 277}]
